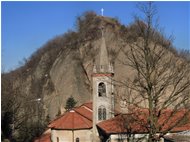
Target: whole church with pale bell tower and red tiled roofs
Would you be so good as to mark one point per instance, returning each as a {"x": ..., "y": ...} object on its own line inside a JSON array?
[{"x": 97, "y": 121}]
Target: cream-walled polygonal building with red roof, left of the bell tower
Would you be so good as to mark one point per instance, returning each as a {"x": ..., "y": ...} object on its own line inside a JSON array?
[{"x": 75, "y": 125}]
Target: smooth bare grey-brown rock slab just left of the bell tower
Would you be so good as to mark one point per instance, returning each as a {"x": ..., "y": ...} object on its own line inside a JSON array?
[{"x": 68, "y": 77}]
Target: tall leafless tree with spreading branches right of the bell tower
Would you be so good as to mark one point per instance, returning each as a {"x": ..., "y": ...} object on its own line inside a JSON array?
[{"x": 161, "y": 80}]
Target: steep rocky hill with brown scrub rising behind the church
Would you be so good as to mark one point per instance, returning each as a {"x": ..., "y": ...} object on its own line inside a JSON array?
[{"x": 63, "y": 66}]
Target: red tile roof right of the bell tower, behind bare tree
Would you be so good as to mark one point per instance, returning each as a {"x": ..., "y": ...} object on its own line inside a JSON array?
[{"x": 138, "y": 122}]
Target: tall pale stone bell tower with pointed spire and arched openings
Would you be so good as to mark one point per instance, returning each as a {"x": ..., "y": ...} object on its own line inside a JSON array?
[{"x": 103, "y": 97}]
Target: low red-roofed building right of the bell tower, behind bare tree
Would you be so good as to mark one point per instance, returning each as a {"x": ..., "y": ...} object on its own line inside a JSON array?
[{"x": 133, "y": 126}]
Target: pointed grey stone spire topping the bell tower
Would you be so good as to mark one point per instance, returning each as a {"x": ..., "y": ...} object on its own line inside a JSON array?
[{"x": 103, "y": 65}]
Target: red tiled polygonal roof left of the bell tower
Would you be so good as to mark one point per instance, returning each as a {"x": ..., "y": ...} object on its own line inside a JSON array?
[{"x": 75, "y": 119}]
